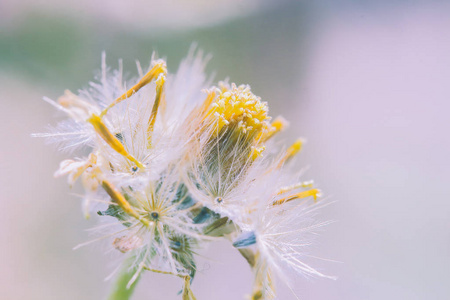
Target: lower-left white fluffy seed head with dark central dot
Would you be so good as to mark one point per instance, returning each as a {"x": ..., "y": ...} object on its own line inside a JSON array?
[{"x": 159, "y": 225}]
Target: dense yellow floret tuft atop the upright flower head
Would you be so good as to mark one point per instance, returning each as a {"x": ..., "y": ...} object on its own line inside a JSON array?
[{"x": 238, "y": 104}]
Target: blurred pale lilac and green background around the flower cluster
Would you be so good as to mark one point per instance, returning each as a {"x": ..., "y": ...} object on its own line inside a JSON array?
[{"x": 367, "y": 83}]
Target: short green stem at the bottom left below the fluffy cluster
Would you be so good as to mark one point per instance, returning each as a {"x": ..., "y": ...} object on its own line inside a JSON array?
[{"x": 119, "y": 290}]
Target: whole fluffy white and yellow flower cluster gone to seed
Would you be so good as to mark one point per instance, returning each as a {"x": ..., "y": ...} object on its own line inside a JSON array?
[{"x": 175, "y": 163}]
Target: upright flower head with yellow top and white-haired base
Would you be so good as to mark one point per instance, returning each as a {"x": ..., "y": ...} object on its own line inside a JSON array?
[{"x": 226, "y": 149}]
